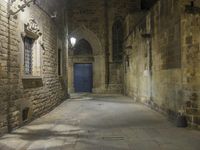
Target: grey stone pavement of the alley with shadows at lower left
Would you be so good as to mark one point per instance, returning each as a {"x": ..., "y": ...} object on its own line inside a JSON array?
[{"x": 101, "y": 122}]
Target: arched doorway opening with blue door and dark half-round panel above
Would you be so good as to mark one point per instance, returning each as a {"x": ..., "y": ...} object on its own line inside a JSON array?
[{"x": 83, "y": 70}]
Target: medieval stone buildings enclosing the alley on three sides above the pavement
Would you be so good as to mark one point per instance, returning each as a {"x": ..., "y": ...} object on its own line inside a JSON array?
[{"x": 148, "y": 50}]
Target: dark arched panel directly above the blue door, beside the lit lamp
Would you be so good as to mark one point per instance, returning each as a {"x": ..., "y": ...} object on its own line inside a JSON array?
[{"x": 83, "y": 47}]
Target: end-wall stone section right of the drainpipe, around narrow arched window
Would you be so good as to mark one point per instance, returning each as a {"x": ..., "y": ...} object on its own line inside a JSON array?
[{"x": 117, "y": 10}]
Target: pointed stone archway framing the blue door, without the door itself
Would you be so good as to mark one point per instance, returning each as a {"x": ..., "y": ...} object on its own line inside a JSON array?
[{"x": 97, "y": 59}]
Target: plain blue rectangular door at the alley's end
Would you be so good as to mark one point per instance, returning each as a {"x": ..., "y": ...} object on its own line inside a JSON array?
[{"x": 83, "y": 77}]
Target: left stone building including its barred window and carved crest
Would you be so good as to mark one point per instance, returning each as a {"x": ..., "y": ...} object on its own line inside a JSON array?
[{"x": 30, "y": 82}]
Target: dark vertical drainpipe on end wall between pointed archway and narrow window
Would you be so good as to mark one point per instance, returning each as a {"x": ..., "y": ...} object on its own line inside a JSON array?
[{"x": 107, "y": 78}]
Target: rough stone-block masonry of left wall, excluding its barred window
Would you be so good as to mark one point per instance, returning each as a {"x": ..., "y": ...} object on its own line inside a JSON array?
[{"x": 17, "y": 93}]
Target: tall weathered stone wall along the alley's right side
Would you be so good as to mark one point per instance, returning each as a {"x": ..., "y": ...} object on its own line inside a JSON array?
[{"x": 162, "y": 52}]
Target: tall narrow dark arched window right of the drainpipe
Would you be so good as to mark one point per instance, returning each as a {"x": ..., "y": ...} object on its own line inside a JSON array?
[{"x": 117, "y": 41}]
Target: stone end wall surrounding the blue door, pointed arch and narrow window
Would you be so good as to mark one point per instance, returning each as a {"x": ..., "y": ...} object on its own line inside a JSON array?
[{"x": 94, "y": 18}]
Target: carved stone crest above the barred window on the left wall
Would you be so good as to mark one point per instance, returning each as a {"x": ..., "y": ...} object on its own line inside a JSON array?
[{"x": 32, "y": 29}]
